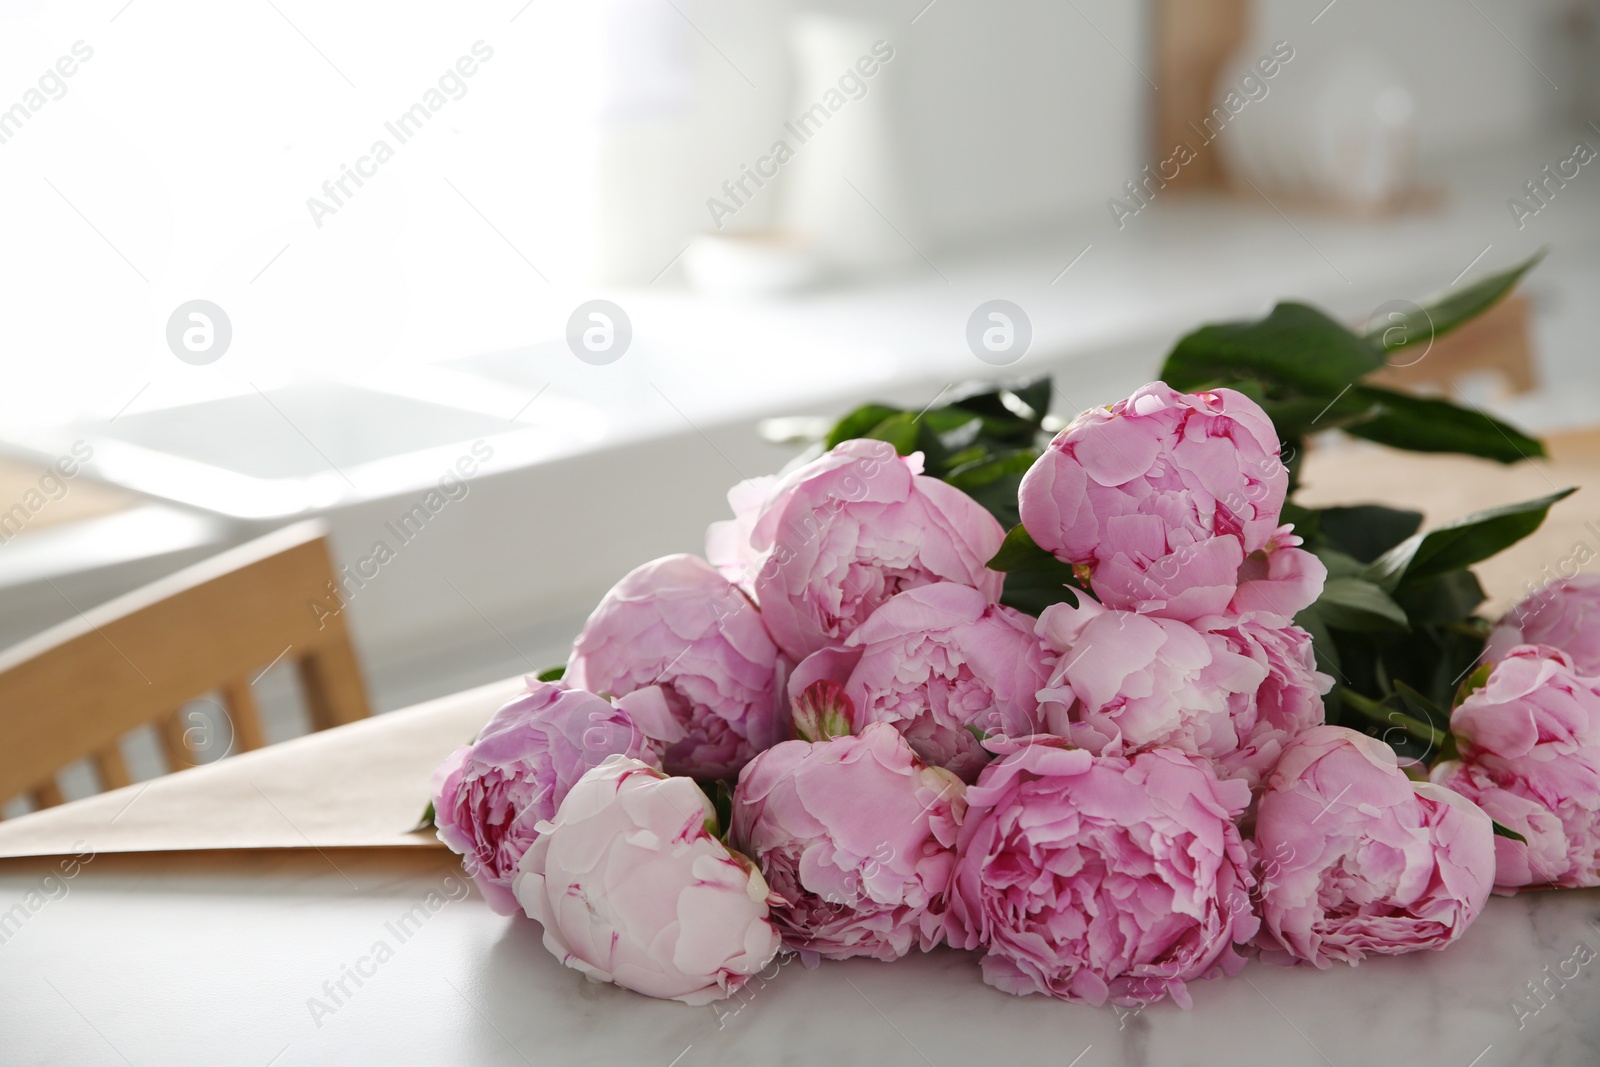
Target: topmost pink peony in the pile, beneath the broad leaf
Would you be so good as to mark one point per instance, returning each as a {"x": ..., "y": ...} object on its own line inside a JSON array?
[{"x": 1162, "y": 497}]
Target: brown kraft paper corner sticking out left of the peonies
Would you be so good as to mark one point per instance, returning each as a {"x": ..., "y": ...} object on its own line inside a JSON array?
[{"x": 358, "y": 786}]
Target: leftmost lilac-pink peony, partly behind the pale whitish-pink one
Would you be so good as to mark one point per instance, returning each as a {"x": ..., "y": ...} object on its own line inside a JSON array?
[{"x": 492, "y": 796}]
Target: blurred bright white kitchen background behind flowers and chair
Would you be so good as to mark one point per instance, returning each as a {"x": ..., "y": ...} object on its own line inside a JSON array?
[{"x": 398, "y": 212}]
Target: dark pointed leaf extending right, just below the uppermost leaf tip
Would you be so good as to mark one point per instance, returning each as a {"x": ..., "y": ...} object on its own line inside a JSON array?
[{"x": 1428, "y": 425}]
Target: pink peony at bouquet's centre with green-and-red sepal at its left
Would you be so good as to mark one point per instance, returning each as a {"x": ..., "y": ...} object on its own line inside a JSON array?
[{"x": 938, "y": 663}]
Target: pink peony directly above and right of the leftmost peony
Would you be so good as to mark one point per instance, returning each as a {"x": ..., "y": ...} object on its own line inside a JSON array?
[{"x": 678, "y": 626}]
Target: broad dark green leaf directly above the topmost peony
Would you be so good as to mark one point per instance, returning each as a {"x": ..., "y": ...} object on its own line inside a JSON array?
[{"x": 1295, "y": 346}]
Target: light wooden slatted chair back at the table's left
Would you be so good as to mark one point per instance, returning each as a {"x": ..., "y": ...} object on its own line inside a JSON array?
[{"x": 74, "y": 690}]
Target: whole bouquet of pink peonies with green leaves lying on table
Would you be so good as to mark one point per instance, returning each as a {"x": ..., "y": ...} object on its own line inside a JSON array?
[{"x": 1070, "y": 706}]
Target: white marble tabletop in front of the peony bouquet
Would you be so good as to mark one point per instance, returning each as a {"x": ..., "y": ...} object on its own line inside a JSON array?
[{"x": 207, "y": 959}]
